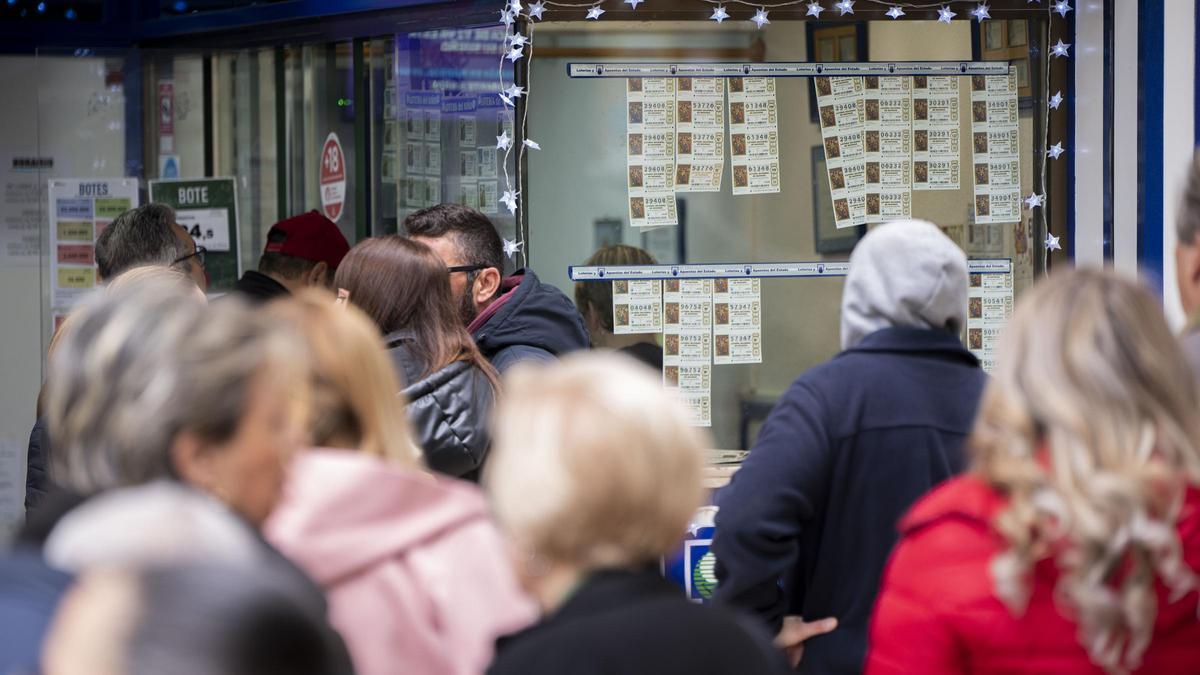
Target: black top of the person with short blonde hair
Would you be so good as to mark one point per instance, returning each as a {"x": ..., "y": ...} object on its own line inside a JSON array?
[{"x": 637, "y": 624}]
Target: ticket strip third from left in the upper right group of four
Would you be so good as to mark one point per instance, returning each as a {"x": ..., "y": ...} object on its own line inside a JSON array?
[{"x": 935, "y": 133}]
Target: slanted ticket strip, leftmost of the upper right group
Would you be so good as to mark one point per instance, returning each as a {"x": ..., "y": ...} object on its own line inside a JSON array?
[{"x": 843, "y": 130}]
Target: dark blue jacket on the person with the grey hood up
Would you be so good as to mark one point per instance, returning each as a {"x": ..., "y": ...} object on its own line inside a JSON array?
[{"x": 809, "y": 521}]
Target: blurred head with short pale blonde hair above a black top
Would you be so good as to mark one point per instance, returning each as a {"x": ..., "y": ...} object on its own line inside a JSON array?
[{"x": 593, "y": 463}]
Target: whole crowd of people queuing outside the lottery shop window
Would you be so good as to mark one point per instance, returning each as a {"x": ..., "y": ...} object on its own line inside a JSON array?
[{"x": 395, "y": 458}]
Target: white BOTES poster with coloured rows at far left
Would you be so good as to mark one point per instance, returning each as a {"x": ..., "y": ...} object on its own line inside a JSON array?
[{"x": 80, "y": 210}]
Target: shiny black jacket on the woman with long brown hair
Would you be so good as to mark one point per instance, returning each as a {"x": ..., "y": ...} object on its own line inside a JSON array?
[{"x": 449, "y": 410}]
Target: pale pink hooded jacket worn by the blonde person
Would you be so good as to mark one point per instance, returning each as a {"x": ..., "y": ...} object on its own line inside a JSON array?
[{"x": 417, "y": 576}]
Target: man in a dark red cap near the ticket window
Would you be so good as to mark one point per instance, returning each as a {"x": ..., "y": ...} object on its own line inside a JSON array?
[{"x": 303, "y": 250}]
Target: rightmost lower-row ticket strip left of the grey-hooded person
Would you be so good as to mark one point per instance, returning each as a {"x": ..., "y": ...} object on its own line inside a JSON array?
[{"x": 737, "y": 321}]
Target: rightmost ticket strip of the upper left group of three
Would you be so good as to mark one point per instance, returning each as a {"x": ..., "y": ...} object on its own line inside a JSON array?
[{"x": 754, "y": 135}]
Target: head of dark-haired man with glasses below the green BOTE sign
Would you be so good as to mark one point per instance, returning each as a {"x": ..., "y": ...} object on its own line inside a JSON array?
[{"x": 140, "y": 237}]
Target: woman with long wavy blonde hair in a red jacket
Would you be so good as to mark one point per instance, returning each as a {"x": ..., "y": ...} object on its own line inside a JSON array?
[{"x": 1073, "y": 545}]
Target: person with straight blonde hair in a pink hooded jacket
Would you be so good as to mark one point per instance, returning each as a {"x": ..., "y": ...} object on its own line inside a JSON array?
[{"x": 416, "y": 572}]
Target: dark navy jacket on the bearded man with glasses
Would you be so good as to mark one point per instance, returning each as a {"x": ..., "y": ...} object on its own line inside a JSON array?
[{"x": 533, "y": 321}]
